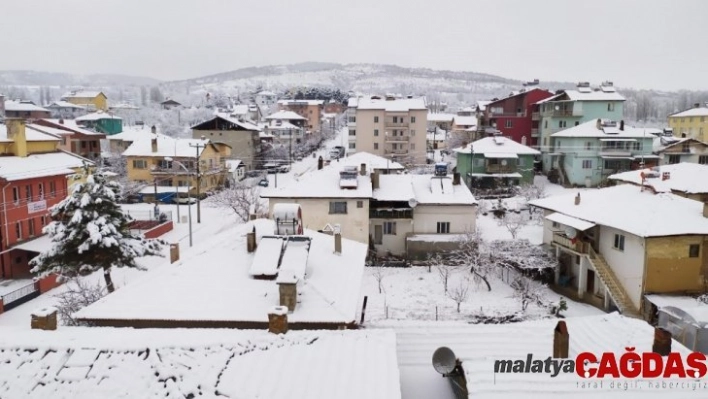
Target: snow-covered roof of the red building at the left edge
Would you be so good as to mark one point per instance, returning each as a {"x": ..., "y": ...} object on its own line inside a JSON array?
[{"x": 39, "y": 165}]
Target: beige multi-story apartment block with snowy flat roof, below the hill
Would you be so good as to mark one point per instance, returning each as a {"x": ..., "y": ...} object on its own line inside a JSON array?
[{"x": 394, "y": 128}]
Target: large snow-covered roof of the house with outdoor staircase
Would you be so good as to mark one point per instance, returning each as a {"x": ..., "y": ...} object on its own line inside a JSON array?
[{"x": 626, "y": 207}]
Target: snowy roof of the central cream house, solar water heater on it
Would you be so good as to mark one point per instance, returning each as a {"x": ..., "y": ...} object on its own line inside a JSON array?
[{"x": 322, "y": 183}]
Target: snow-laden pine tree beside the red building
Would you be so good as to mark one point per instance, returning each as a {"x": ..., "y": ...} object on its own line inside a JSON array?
[{"x": 91, "y": 232}]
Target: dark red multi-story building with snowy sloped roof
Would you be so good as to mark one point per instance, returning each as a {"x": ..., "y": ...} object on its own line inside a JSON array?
[{"x": 513, "y": 116}]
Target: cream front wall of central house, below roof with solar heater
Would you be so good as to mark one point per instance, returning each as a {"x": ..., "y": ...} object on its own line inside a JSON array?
[{"x": 315, "y": 215}]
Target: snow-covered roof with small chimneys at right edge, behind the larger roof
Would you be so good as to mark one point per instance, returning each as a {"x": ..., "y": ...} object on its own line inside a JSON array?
[{"x": 689, "y": 178}]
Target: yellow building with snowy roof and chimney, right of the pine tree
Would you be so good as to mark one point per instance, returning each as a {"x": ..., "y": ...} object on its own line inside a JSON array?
[{"x": 170, "y": 166}]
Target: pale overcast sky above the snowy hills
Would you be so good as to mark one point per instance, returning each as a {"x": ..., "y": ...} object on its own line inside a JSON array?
[{"x": 636, "y": 43}]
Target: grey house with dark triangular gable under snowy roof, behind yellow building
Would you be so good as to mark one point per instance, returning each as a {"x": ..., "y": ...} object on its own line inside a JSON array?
[{"x": 243, "y": 137}]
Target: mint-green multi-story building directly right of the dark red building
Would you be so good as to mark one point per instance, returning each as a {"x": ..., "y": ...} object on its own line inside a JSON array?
[{"x": 572, "y": 107}]
